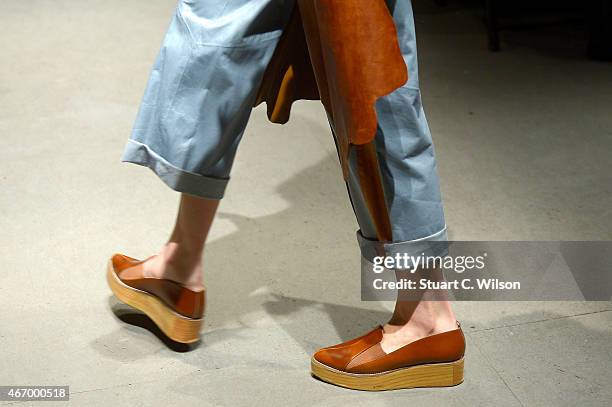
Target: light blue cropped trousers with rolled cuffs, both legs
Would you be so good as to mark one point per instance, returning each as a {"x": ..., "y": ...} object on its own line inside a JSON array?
[{"x": 200, "y": 95}]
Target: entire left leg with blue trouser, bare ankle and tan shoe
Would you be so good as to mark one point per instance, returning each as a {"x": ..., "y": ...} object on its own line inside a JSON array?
[{"x": 195, "y": 109}]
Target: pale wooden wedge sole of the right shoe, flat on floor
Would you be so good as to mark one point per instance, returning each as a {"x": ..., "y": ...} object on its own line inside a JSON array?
[{"x": 432, "y": 375}]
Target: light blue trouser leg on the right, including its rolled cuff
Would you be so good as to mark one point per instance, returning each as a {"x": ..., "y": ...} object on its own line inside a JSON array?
[{"x": 406, "y": 171}]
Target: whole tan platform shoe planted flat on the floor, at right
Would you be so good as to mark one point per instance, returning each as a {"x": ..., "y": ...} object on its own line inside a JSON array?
[{"x": 433, "y": 361}]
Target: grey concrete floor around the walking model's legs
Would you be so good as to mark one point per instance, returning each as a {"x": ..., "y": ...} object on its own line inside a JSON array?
[{"x": 524, "y": 140}]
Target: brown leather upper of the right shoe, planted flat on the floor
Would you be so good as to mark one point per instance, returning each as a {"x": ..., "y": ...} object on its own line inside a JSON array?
[{"x": 363, "y": 355}]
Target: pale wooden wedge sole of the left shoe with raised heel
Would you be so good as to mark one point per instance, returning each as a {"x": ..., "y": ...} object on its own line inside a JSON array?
[{"x": 177, "y": 327}]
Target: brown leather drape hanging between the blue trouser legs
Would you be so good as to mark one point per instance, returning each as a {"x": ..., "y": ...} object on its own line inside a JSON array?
[{"x": 346, "y": 54}]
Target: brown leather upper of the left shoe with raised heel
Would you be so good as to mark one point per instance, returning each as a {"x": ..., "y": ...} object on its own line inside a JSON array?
[{"x": 180, "y": 299}]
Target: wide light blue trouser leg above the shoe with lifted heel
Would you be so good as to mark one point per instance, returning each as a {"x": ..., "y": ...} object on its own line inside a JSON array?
[{"x": 201, "y": 91}]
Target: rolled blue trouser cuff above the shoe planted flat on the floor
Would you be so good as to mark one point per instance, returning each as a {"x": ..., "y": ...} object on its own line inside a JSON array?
[{"x": 432, "y": 245}]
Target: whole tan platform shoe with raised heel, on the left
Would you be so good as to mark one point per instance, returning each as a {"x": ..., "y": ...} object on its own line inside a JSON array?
[{"x": 175, "y": 309}]
